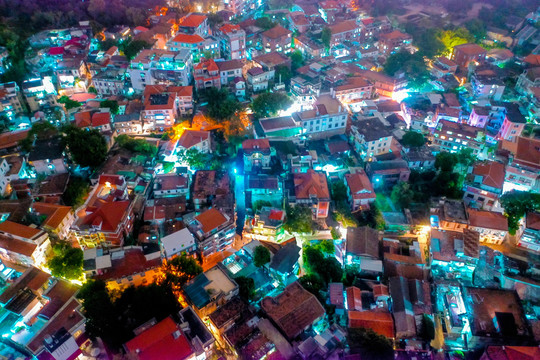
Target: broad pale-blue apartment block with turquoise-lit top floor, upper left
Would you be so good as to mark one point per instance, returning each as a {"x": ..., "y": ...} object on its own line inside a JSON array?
[{"x": 154, "y": 66}]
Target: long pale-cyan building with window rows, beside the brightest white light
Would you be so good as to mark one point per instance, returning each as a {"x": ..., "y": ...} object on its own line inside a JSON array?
[{"x": 327, "y": 118}]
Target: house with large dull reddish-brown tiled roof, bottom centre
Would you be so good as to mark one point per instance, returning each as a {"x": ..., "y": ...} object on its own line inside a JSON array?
[{"x": 293, "y": 311}]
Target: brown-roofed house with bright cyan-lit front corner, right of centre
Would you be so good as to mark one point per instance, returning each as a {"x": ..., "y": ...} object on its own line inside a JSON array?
[{"x": 362, "y": 249}]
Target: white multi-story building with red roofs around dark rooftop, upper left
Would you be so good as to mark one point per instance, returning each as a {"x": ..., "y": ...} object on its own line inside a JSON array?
[{"x": 163, "y": 105}]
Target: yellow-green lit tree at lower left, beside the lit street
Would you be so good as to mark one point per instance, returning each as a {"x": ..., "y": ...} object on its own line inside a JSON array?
[{"x": 67, "y": 262}]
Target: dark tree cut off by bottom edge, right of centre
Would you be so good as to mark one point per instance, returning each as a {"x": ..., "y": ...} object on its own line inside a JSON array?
[{"x": 371, "y": 345}]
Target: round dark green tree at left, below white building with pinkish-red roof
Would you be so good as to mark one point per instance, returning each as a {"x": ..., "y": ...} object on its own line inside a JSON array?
[{"x": 88, "y": 148}]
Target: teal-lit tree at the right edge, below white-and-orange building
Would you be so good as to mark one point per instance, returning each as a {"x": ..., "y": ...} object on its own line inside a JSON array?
[{"x": 516, "y": 204}]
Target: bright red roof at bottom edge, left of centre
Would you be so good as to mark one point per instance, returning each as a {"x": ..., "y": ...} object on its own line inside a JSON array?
[{"x": 163, "y": 341}]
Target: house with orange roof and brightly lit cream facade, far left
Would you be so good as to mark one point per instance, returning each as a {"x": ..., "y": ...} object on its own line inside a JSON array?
[{"x": 58, "y": 218}]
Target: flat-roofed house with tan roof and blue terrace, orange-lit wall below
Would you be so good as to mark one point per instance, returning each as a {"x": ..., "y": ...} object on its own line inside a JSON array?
[{"x": 210, "y": 290}]
